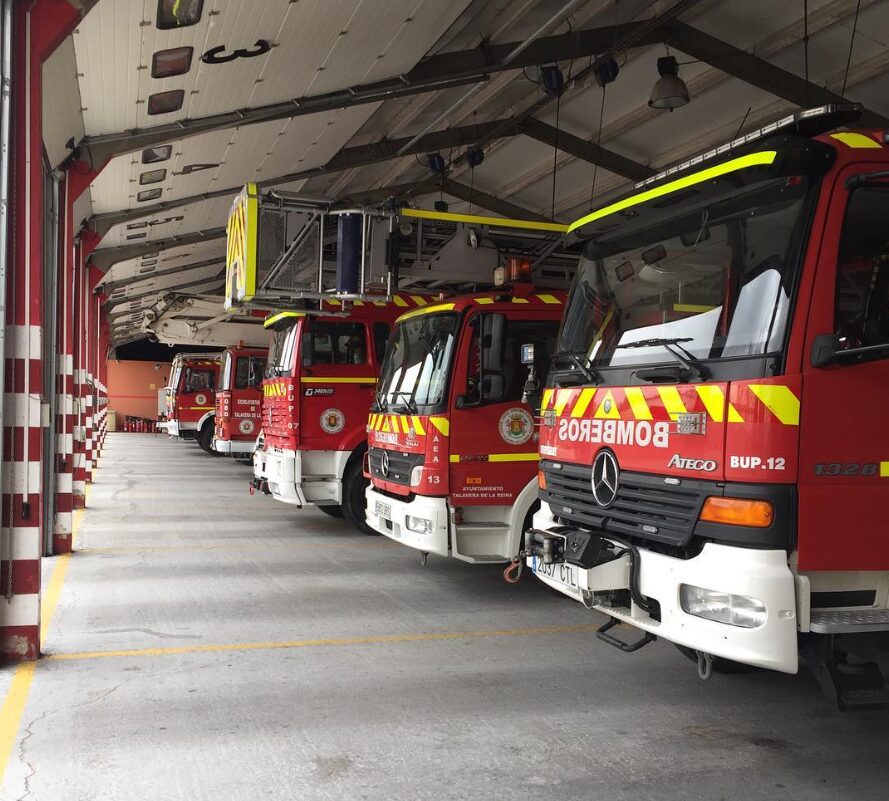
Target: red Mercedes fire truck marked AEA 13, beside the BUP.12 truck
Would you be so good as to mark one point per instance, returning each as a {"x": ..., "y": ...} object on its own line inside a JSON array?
[{"x": 452, "y": 453}]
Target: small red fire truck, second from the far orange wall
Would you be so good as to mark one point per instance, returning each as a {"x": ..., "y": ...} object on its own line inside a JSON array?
[{"x": 238, "y": 401}]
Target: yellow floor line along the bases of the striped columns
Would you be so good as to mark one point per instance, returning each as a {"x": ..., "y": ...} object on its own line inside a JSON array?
[{"x": 20, "y": 688}]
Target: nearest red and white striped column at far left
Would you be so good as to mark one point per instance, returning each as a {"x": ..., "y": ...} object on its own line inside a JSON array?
[{"x": 41, "y": 25}]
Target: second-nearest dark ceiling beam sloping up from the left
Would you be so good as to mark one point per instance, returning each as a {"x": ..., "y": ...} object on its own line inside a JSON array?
[{"x": 346, "y": 159}]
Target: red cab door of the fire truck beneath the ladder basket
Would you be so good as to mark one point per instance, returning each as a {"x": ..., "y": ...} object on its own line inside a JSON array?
[{"x": 337, "y": 380}]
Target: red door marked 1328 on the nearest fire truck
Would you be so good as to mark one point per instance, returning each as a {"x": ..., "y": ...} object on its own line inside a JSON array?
[{"x": 844, "y": 436}]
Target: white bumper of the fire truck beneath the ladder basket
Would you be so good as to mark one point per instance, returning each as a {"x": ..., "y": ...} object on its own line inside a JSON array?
[{"x": 301, "y": 477}]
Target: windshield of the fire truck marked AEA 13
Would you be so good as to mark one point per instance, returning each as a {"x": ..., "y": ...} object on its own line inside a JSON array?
[{"x": 417, "y": 362}]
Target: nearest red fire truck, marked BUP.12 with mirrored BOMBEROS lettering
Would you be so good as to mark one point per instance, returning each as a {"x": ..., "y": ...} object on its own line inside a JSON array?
[{"x": 714, "y": 463}]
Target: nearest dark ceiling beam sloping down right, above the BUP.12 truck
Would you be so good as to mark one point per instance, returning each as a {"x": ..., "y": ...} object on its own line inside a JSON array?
[{"x": 756, "y": 71}]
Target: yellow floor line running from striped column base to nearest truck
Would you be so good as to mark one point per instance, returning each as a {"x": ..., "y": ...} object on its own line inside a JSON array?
[{"x": 337, "y": 641}]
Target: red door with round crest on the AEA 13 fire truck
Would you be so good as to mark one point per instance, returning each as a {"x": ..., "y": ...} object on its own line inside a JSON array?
[{"x": 493, "y": 441}]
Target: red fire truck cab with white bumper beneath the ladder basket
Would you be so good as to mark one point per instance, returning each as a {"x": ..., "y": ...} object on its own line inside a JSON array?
[{"x": 321, "y": 376}]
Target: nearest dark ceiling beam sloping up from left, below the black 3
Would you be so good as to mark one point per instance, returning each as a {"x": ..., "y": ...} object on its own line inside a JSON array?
[{"x": 432, "y": 74}]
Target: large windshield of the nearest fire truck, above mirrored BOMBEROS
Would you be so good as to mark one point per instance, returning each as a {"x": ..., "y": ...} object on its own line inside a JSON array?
[{"x": 711, "y": 270}]
